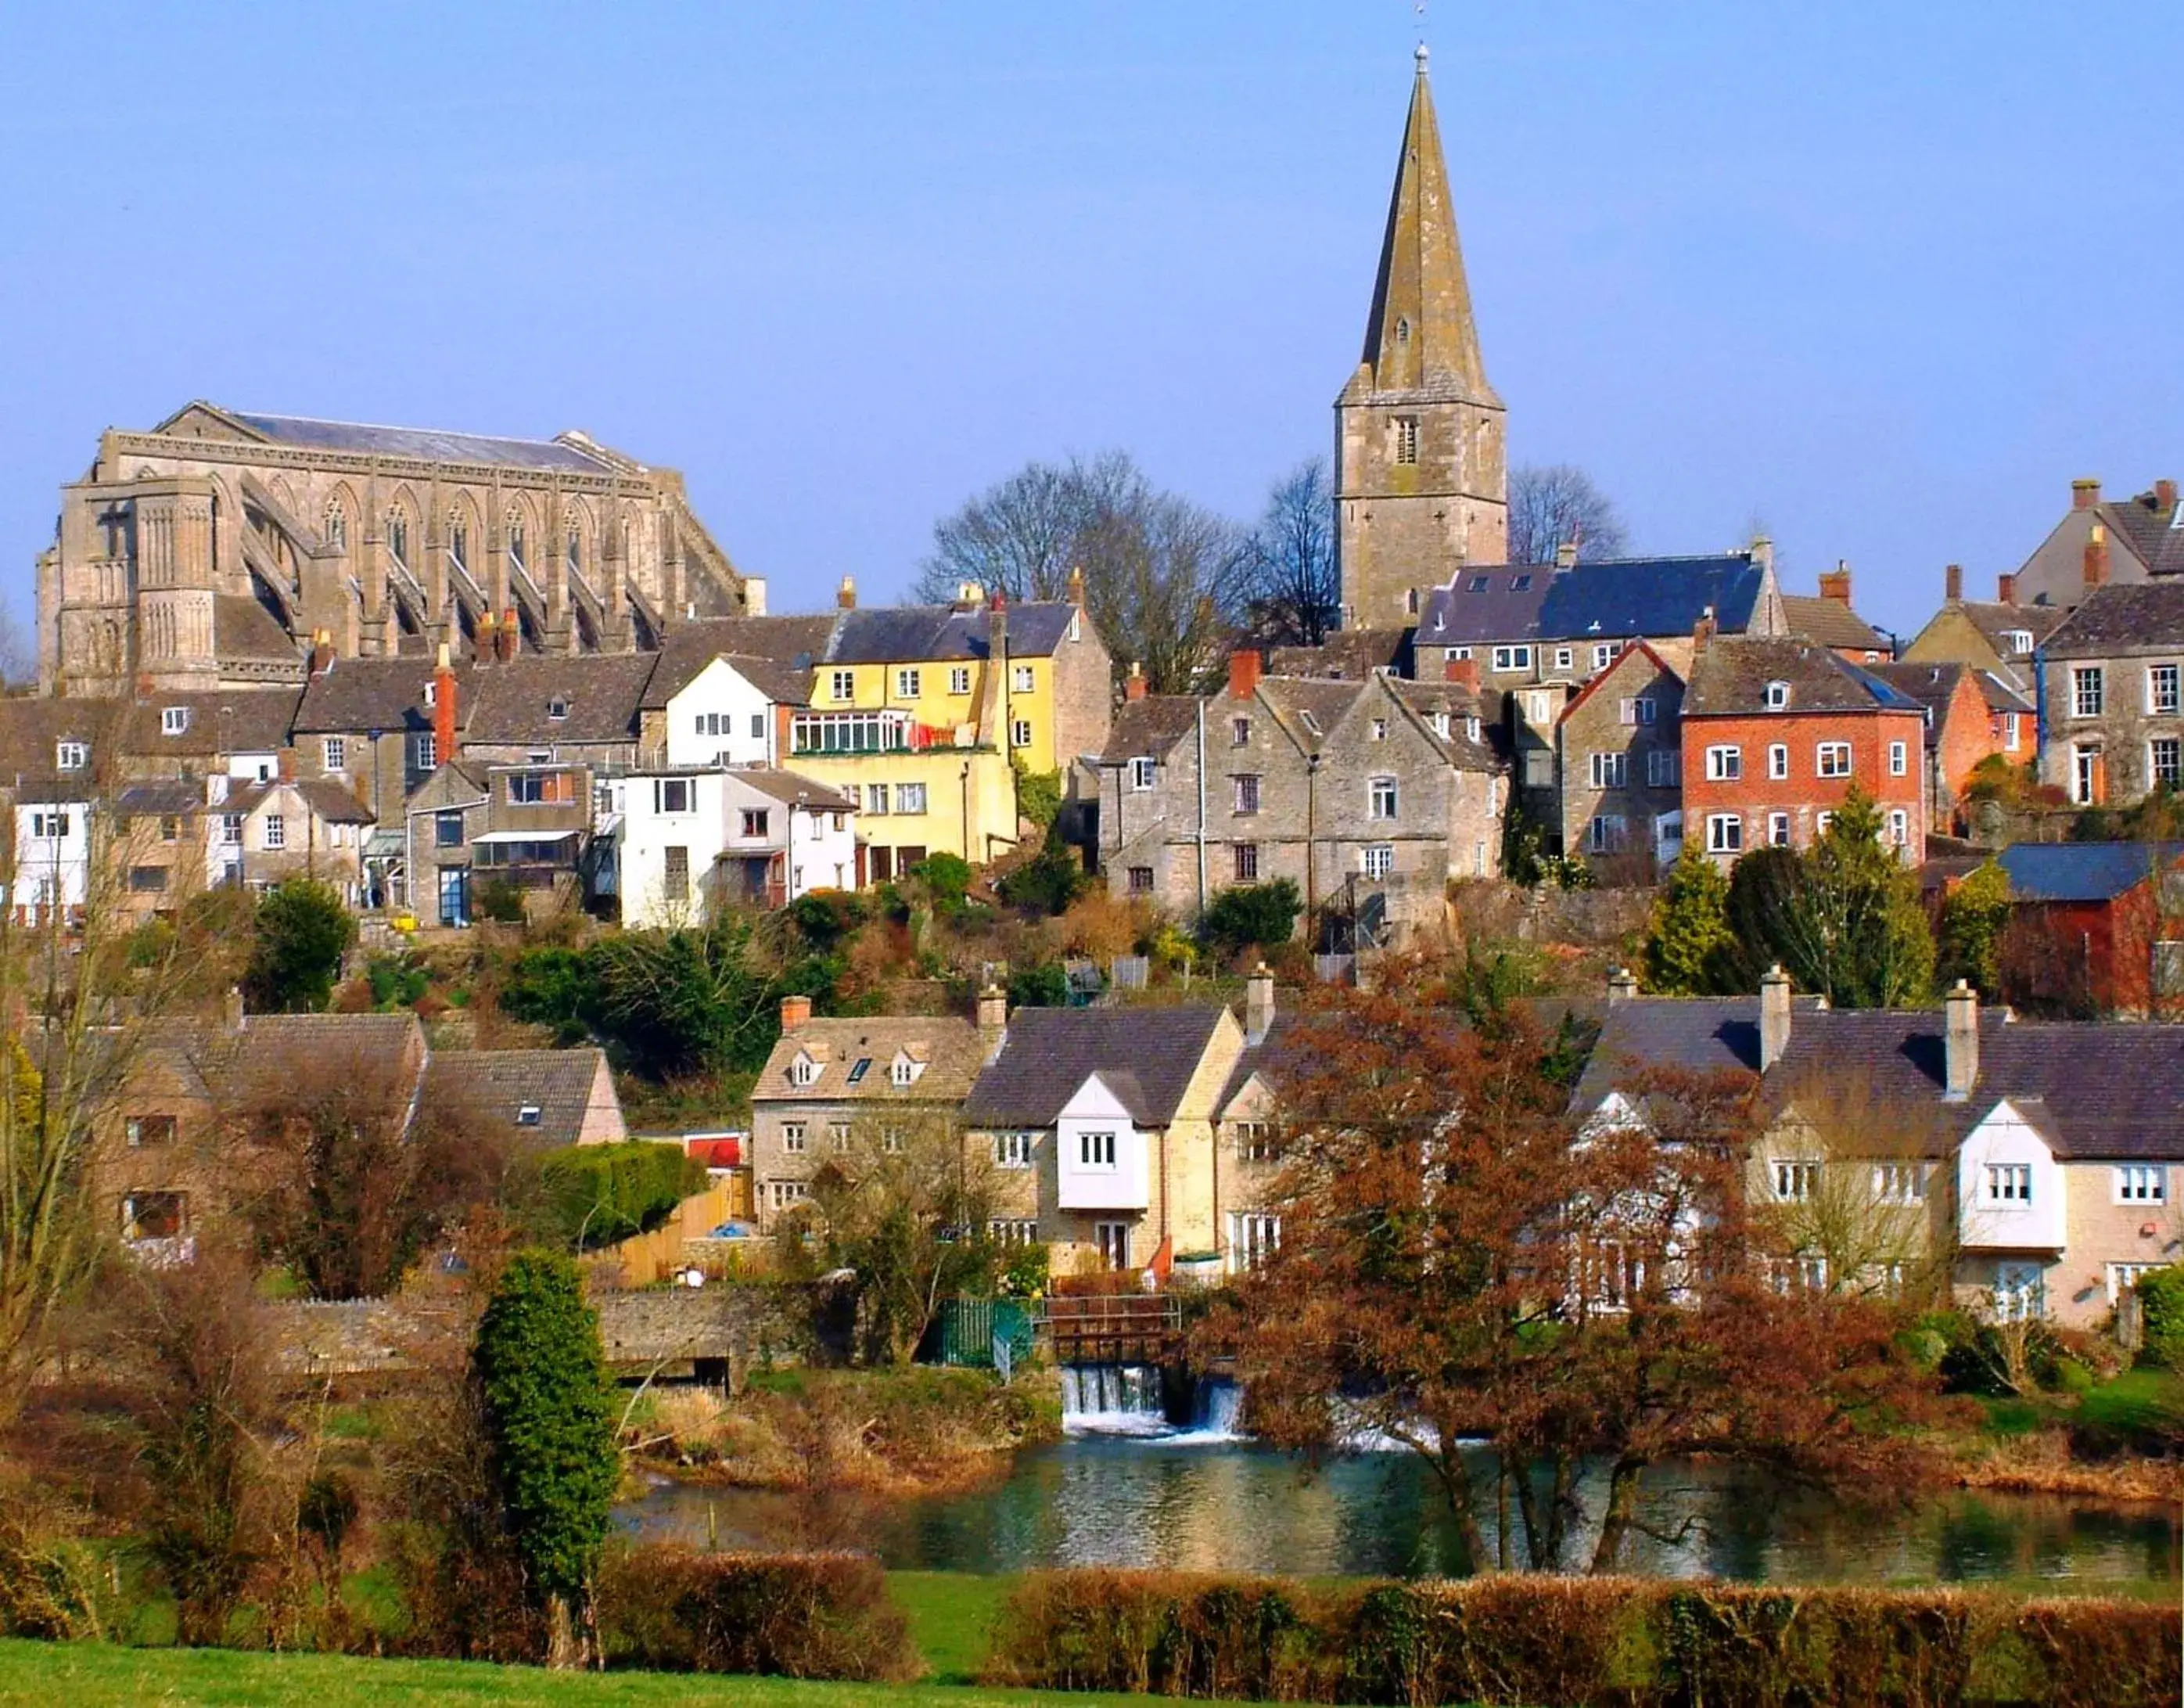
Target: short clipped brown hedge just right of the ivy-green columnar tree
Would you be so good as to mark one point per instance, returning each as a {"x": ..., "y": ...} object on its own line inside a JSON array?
[{"x": 818, "y": 1615}]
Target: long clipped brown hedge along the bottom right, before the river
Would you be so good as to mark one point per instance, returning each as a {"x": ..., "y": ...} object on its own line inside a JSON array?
[{"x": 1576, "y": 1641}]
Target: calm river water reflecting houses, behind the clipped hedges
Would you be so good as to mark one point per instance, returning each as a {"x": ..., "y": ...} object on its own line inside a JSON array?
[{"x": 1231, "y": 1506}]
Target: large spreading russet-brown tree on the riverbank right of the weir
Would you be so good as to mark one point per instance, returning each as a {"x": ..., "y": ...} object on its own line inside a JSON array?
[{"x": 1462, "y": 1264}]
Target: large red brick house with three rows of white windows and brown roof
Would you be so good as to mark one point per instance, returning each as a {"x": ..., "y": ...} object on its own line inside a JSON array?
[{"x": 1774, "y": 737}]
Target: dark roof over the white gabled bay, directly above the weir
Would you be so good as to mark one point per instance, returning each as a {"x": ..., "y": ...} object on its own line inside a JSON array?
[{"x": 1146, "y": 1056}]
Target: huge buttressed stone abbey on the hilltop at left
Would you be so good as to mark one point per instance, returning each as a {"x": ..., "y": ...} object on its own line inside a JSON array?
[{"x": 219, "y": 547}]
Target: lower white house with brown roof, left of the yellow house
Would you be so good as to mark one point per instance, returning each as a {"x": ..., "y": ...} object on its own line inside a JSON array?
[{"x": 700, "y": 840}]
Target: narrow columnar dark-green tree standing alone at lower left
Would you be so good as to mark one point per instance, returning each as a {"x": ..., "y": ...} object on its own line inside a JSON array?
[{"x": 549, "y": 1419}]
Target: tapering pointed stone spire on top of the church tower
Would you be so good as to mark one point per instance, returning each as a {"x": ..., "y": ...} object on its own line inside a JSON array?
[{"x": 1423, "y": 335}]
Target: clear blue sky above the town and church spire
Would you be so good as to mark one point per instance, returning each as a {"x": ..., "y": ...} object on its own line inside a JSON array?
[{"x": 1886, "y": 278}]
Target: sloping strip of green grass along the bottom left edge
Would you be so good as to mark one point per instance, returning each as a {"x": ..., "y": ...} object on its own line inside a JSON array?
[{"x": 97, "y": 1674}]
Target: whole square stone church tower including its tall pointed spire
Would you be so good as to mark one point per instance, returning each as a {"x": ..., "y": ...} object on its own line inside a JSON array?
[{"x": 1421, "y": 466}]
